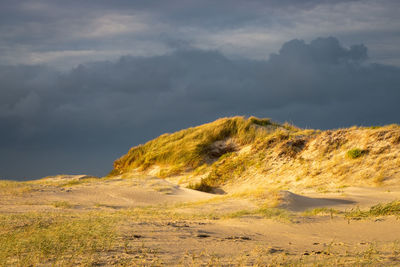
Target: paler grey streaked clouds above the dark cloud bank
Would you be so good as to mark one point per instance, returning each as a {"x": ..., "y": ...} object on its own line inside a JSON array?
[{"x": 65, "y": 34}]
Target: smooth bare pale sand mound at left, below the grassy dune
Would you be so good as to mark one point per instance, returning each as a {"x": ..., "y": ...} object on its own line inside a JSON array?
[{"x": 77, "y": 191}]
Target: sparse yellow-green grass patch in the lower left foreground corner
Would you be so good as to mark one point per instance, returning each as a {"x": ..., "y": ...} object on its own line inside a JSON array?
[{"x": 53, "y": 239}]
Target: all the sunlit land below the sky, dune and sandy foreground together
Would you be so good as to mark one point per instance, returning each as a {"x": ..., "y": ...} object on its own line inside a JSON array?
[{"x": 294, "y": 197}]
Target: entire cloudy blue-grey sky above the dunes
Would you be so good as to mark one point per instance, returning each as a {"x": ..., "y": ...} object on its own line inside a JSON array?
[{"x": 83, "y": 81}]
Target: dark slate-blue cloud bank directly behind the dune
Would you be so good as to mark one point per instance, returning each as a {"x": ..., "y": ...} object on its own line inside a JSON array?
[{"x": 82, "y": 119}]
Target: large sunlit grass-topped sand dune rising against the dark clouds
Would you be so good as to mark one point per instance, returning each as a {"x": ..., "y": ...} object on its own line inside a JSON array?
[{"x": 241, "y": 154}]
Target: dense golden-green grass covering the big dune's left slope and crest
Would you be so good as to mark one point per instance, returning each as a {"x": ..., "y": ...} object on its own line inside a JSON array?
[{"x": 190, "y": 148}]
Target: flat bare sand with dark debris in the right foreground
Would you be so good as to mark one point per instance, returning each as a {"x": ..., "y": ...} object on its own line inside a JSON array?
[{"x": 253, "y": 240}]
